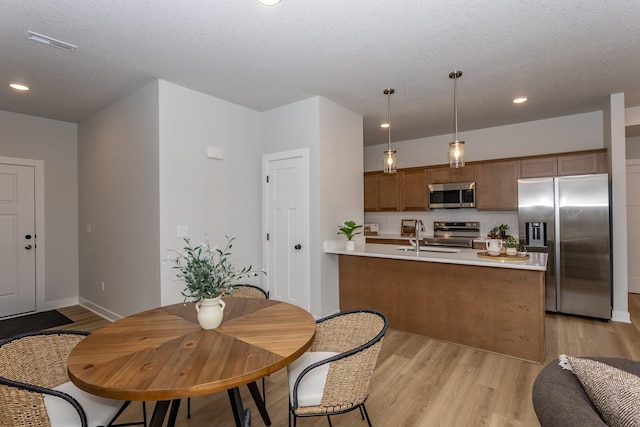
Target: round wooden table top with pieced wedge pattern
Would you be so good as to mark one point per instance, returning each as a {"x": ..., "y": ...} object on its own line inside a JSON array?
[{"x": 163, "y": 354}]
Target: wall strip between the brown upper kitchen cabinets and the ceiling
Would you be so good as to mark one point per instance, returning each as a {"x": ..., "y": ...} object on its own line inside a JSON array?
[{"x": 561, "y": 134}]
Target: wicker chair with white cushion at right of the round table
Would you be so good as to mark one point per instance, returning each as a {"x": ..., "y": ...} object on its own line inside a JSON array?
[{"x": 334, "y": 376}]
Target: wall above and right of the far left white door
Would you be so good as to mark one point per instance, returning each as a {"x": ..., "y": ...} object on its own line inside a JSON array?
[{"x": 55, "y": 143}]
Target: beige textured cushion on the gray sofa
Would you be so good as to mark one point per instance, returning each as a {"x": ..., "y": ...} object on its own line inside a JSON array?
[{"x": 614, "y": 392}]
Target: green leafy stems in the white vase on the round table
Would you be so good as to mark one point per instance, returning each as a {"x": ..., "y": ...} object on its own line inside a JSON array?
[{"x": 206, "y": 270}]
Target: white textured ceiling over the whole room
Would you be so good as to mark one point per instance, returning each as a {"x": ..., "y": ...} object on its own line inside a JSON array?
[{"x": 566, "y": 56}]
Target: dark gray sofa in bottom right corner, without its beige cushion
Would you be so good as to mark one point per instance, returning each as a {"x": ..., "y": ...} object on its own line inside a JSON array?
[{"x": 560, "y": 400}]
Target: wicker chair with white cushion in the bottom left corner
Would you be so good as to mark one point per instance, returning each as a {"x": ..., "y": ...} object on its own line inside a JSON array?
[{"x": 35, "y": 389}]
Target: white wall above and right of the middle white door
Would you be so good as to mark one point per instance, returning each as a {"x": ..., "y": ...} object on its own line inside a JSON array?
[{"x": 333, "y": 136}]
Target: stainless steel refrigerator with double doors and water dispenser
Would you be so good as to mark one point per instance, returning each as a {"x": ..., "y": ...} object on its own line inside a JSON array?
[{"x": 568, "y": 217}]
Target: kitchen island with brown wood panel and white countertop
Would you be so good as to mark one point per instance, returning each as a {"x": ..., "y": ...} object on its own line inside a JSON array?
[{"x": 449, "y": 294}]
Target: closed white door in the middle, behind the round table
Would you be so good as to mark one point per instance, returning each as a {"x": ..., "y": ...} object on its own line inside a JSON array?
[{"x": 286, "y": 226}]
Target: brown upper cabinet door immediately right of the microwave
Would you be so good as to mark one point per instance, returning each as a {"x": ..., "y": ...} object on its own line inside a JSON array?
[{"x": 497, "y": 186}]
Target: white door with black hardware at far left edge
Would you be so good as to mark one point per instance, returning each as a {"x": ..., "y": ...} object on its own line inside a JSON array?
[{"x": 17, "y": 240}]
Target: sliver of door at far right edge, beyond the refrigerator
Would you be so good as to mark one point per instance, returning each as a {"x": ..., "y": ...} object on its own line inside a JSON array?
[{"x": 633, "y": 225}]
